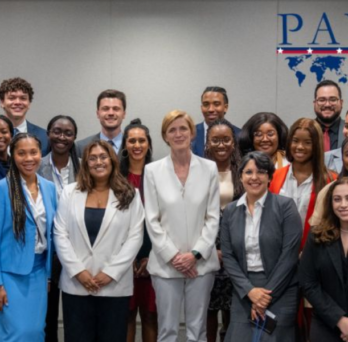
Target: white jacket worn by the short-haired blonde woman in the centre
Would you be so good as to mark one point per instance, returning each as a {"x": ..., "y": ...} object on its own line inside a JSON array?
[{"x": 182, "y": 218}]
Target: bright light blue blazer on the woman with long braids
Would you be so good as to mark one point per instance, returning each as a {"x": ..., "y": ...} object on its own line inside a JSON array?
[{"x": 15, "y": 256}]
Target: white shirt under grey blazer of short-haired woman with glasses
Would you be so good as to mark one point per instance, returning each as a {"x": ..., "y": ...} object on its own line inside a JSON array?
[{"x": 252, "y": 232}]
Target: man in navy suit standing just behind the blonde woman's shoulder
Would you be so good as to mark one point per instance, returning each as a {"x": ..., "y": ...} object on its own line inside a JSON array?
[{"x": 214, "y": 106}]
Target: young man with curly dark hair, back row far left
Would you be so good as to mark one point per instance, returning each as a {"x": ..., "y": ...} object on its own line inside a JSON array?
[{"x": 16, "y": 95}]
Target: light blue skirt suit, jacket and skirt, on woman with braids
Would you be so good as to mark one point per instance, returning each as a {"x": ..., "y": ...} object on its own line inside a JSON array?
[{"x": 23, "y": 273}]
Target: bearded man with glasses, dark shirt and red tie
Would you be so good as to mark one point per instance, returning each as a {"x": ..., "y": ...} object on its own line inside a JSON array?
[{"x": 327, "y": 106}]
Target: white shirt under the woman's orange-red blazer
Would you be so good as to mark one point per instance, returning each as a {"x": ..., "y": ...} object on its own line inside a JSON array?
[{"x": 301, "y": 194}]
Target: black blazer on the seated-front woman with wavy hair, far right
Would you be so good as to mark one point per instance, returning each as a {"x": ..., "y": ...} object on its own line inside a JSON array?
[{"x": 321, "y": 278}]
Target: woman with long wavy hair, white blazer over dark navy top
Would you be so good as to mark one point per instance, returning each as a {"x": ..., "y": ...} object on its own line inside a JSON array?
[{"x": 98, "y": 232}]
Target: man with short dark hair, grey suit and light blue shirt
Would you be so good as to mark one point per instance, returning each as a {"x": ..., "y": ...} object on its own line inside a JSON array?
[{"x": 111, "y": 110}]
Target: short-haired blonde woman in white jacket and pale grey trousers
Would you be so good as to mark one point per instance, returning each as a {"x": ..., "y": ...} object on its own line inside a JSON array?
[{"x": 182, "y": 217}]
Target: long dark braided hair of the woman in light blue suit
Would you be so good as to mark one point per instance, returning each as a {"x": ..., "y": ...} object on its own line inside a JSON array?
[{"x": 18, "y": 200}]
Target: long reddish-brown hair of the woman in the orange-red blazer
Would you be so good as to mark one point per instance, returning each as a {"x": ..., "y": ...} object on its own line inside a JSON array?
[{"x": 320, "y": 172}]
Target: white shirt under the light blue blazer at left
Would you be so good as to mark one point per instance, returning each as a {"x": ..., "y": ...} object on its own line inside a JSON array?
[{"x": 39, "y": 215}]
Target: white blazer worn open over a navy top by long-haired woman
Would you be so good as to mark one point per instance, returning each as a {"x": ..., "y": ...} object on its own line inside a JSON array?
[{"x": 116, "y": 246}]
